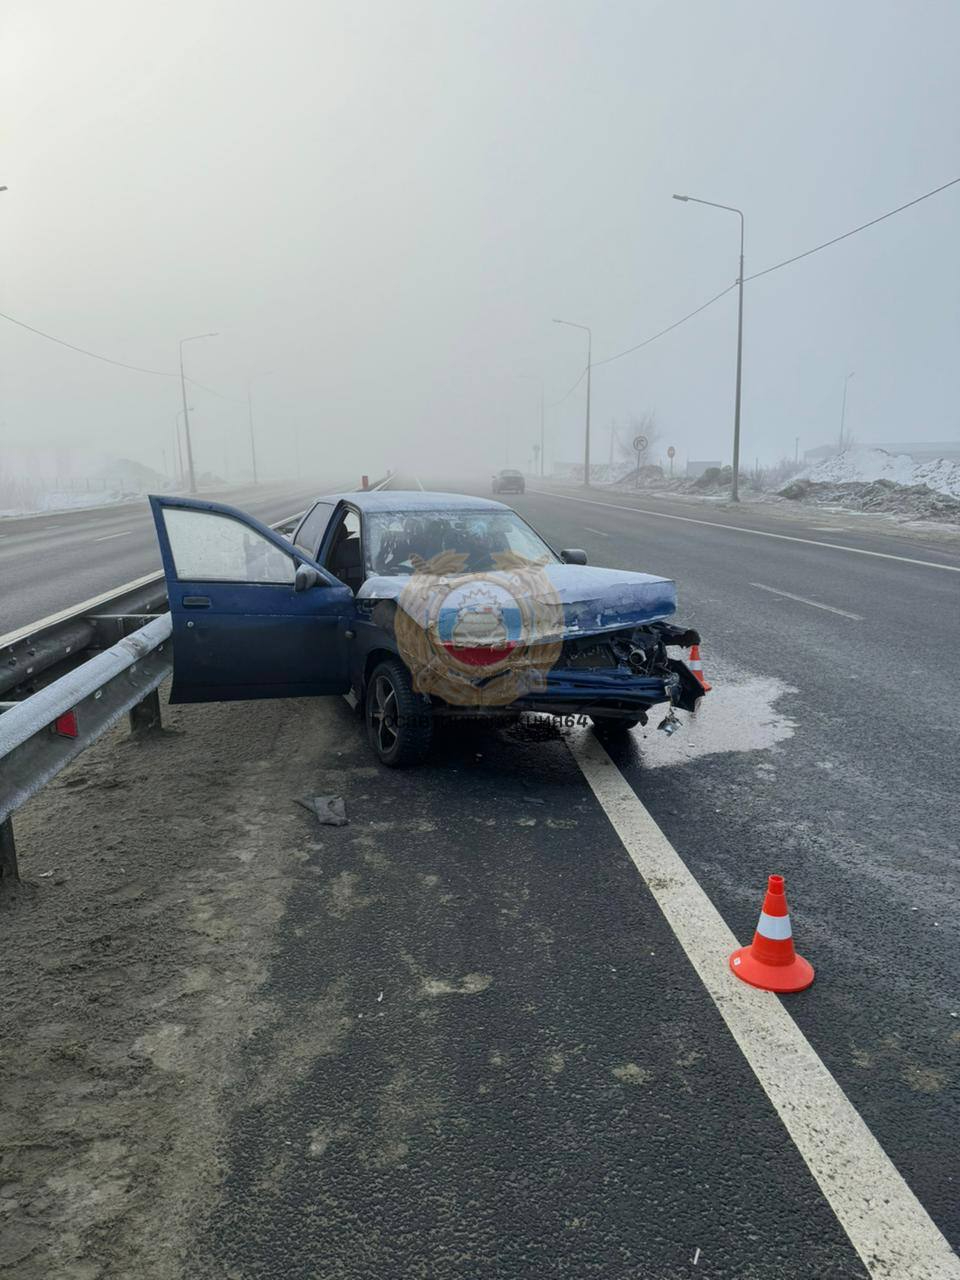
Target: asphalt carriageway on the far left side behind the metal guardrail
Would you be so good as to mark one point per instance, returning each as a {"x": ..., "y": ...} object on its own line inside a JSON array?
[{"x": 53, "y": 561}]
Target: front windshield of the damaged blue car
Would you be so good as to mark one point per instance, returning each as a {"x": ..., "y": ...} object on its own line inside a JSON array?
[{"x": 396, "y": 540}]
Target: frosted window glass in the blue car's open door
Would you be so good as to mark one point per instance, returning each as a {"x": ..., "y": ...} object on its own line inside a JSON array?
[{"x": 211, "y": 547}]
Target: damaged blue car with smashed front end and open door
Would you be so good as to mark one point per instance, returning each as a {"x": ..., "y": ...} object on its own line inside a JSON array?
[{"x": 420, "y": 606}]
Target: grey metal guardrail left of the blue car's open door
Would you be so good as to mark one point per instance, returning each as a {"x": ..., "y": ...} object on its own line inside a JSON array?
[{"x": 71, "y": 676}]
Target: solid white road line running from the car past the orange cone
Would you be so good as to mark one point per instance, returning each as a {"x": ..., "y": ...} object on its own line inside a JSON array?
[{"x": 886, "y": 1224}]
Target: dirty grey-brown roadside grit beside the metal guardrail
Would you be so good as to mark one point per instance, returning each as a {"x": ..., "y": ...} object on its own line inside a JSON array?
[{"x": 154, "y": 876}]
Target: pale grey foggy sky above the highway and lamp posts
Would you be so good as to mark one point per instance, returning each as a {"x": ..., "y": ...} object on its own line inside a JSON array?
[{"x": 381, "y": 205}]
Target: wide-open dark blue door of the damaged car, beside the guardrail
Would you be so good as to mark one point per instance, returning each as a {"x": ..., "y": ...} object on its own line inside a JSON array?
[{"x": 245, "y": 625}]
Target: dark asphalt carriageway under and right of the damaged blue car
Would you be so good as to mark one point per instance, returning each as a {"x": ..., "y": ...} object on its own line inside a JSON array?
[{"x": 592, "y": 1116}]
